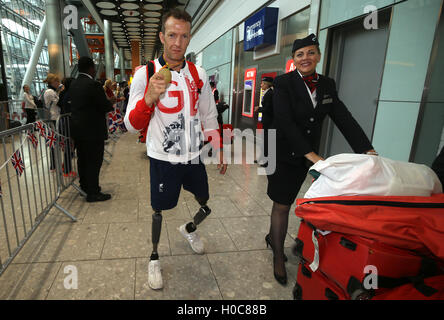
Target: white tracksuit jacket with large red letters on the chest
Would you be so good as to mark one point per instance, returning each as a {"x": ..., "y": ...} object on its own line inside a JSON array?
[{"x": 175, "y": 130}]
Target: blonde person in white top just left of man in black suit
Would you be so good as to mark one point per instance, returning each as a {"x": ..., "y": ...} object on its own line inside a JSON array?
[{"x": 51, "y": 99}]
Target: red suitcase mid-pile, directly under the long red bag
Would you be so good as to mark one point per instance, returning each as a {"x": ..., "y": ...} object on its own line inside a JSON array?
[{"x": 344, "y": 258}]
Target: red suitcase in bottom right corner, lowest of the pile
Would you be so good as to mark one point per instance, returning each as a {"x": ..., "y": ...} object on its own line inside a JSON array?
[{"x": 431, "y": 289}]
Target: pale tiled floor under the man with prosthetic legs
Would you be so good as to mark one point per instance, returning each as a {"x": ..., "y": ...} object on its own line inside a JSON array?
[{"x": 111, "y": 242}]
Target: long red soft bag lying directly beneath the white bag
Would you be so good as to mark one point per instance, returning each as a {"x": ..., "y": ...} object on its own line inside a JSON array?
[{"x": 408, "y": 223}]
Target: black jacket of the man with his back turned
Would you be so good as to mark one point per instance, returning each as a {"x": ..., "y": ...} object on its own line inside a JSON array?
[{"x": 89, "y": 107}]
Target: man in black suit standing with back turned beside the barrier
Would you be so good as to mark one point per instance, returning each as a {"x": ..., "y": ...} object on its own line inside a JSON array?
[{"x": 89, "y": 105}]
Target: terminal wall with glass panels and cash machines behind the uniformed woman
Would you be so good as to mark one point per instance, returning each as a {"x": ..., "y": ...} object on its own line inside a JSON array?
[{"x": 384, "y": 55}]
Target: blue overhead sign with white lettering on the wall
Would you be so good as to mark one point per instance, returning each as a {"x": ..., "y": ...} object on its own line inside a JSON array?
[{"x": 261, "y": 29}]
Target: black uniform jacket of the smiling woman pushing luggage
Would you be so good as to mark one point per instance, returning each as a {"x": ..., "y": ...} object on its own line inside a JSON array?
[{"x": 299, "y": 125}]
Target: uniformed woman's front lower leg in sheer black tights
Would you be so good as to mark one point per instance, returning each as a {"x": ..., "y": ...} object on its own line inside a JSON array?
[{"x": 278, "y": 232}]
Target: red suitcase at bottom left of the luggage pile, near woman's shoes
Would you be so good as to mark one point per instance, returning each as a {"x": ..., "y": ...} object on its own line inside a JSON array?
[{"x": 316, "y": 286}]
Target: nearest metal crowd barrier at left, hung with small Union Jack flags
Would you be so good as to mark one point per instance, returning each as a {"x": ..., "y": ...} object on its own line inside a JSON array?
[{"x": 37, "y": 165}]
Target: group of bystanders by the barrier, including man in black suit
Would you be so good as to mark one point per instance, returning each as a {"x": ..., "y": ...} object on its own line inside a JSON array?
[{"x": 88, "y": 103}]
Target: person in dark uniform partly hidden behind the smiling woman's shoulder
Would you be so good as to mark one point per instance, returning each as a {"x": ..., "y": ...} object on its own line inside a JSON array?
[{"x": 265, "y": 111}]
